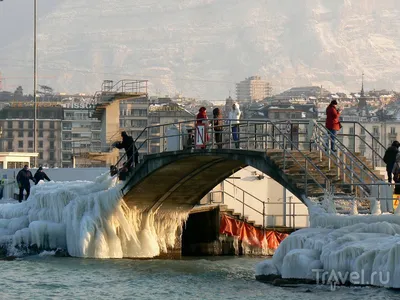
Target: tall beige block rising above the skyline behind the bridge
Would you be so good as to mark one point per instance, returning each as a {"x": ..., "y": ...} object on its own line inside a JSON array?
[{"x": 253, "y": 89}]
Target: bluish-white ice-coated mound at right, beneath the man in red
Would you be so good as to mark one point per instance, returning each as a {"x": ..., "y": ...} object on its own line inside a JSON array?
[{"x": 365, "y": 244}]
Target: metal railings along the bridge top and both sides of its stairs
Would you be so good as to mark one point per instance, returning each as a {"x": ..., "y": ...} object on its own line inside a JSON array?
[{"x": 264, "y": 135}]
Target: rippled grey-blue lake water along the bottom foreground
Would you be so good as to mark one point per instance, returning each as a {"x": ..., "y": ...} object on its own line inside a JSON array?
[{"x": 49, "y": 277}]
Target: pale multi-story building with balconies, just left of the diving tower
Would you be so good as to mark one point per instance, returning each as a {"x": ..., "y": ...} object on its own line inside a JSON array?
[{"x": 80, "y": 135}]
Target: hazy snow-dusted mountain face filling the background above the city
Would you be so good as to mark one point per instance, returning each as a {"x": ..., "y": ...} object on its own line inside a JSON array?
[{"x": 201, "y": 48}]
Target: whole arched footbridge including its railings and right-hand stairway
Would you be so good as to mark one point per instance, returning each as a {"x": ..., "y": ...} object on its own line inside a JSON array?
[{"x": 299, "y": 162}]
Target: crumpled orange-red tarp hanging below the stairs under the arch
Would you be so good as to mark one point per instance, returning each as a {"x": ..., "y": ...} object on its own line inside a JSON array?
[{"x": 253, "y": 236}]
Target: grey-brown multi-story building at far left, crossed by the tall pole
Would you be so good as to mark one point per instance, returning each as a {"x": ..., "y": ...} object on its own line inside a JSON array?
[{"x": 16, "y": 121}]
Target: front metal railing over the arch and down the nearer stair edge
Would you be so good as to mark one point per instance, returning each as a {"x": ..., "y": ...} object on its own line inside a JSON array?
[{"x": 253, "y": 135}]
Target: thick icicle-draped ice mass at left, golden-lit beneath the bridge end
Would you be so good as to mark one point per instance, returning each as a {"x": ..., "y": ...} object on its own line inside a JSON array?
[{"x": 88, "y": 219}]
